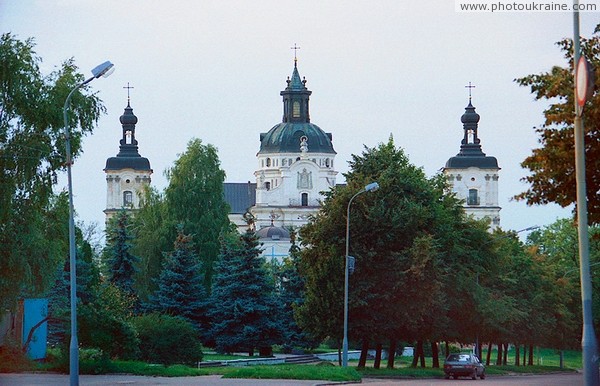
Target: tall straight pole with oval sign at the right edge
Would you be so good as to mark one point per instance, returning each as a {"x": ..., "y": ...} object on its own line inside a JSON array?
[{"x": 582, "y": 88}]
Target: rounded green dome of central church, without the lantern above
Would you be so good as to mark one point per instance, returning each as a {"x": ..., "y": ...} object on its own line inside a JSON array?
[{"x": 286, "y": 137}]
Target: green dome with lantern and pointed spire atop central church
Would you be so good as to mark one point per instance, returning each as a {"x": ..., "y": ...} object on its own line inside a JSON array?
[{"x": 286, "y": 136}]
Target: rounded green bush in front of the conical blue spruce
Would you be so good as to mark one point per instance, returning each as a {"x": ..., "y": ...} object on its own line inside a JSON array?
[{"x": 167, "y": 339}]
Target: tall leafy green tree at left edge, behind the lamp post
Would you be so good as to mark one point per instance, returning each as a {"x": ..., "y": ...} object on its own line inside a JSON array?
[{"x": 31, "y": 154}]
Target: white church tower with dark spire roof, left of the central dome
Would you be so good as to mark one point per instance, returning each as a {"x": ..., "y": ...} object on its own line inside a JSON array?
[{"x": 127, "y": 173}]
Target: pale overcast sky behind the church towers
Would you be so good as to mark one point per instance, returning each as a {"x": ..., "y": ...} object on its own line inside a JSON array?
[{"x": 214, "y": 69}]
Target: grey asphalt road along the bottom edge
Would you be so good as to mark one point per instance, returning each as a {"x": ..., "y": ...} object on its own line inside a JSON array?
[{"x": 216, "y": 380}]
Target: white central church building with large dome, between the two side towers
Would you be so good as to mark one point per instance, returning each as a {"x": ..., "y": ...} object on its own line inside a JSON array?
[{"x": 295, "y": 162}]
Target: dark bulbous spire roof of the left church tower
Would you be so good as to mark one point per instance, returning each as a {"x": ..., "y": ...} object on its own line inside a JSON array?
[{"x": 128, "y": 157}]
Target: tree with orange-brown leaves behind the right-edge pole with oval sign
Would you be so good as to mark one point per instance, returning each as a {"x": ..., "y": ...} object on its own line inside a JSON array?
[{"x": 552, "y": 166}]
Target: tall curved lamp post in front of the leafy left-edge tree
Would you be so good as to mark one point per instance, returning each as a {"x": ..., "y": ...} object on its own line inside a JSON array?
[{"x": 104, "y": 69}]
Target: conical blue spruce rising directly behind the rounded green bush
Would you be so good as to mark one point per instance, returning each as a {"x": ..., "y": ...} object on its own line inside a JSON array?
[{"x": 180, "y": 285}]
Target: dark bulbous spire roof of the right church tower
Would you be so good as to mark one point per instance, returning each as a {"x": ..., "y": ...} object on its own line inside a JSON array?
[{"x": 470, "y": 154}]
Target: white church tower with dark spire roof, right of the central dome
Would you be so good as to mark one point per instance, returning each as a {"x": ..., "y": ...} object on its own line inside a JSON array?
[{"x": 472, "y": 175}]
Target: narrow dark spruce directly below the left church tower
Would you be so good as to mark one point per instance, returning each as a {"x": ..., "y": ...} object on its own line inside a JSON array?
[{"x": 122, "y": 264}]
